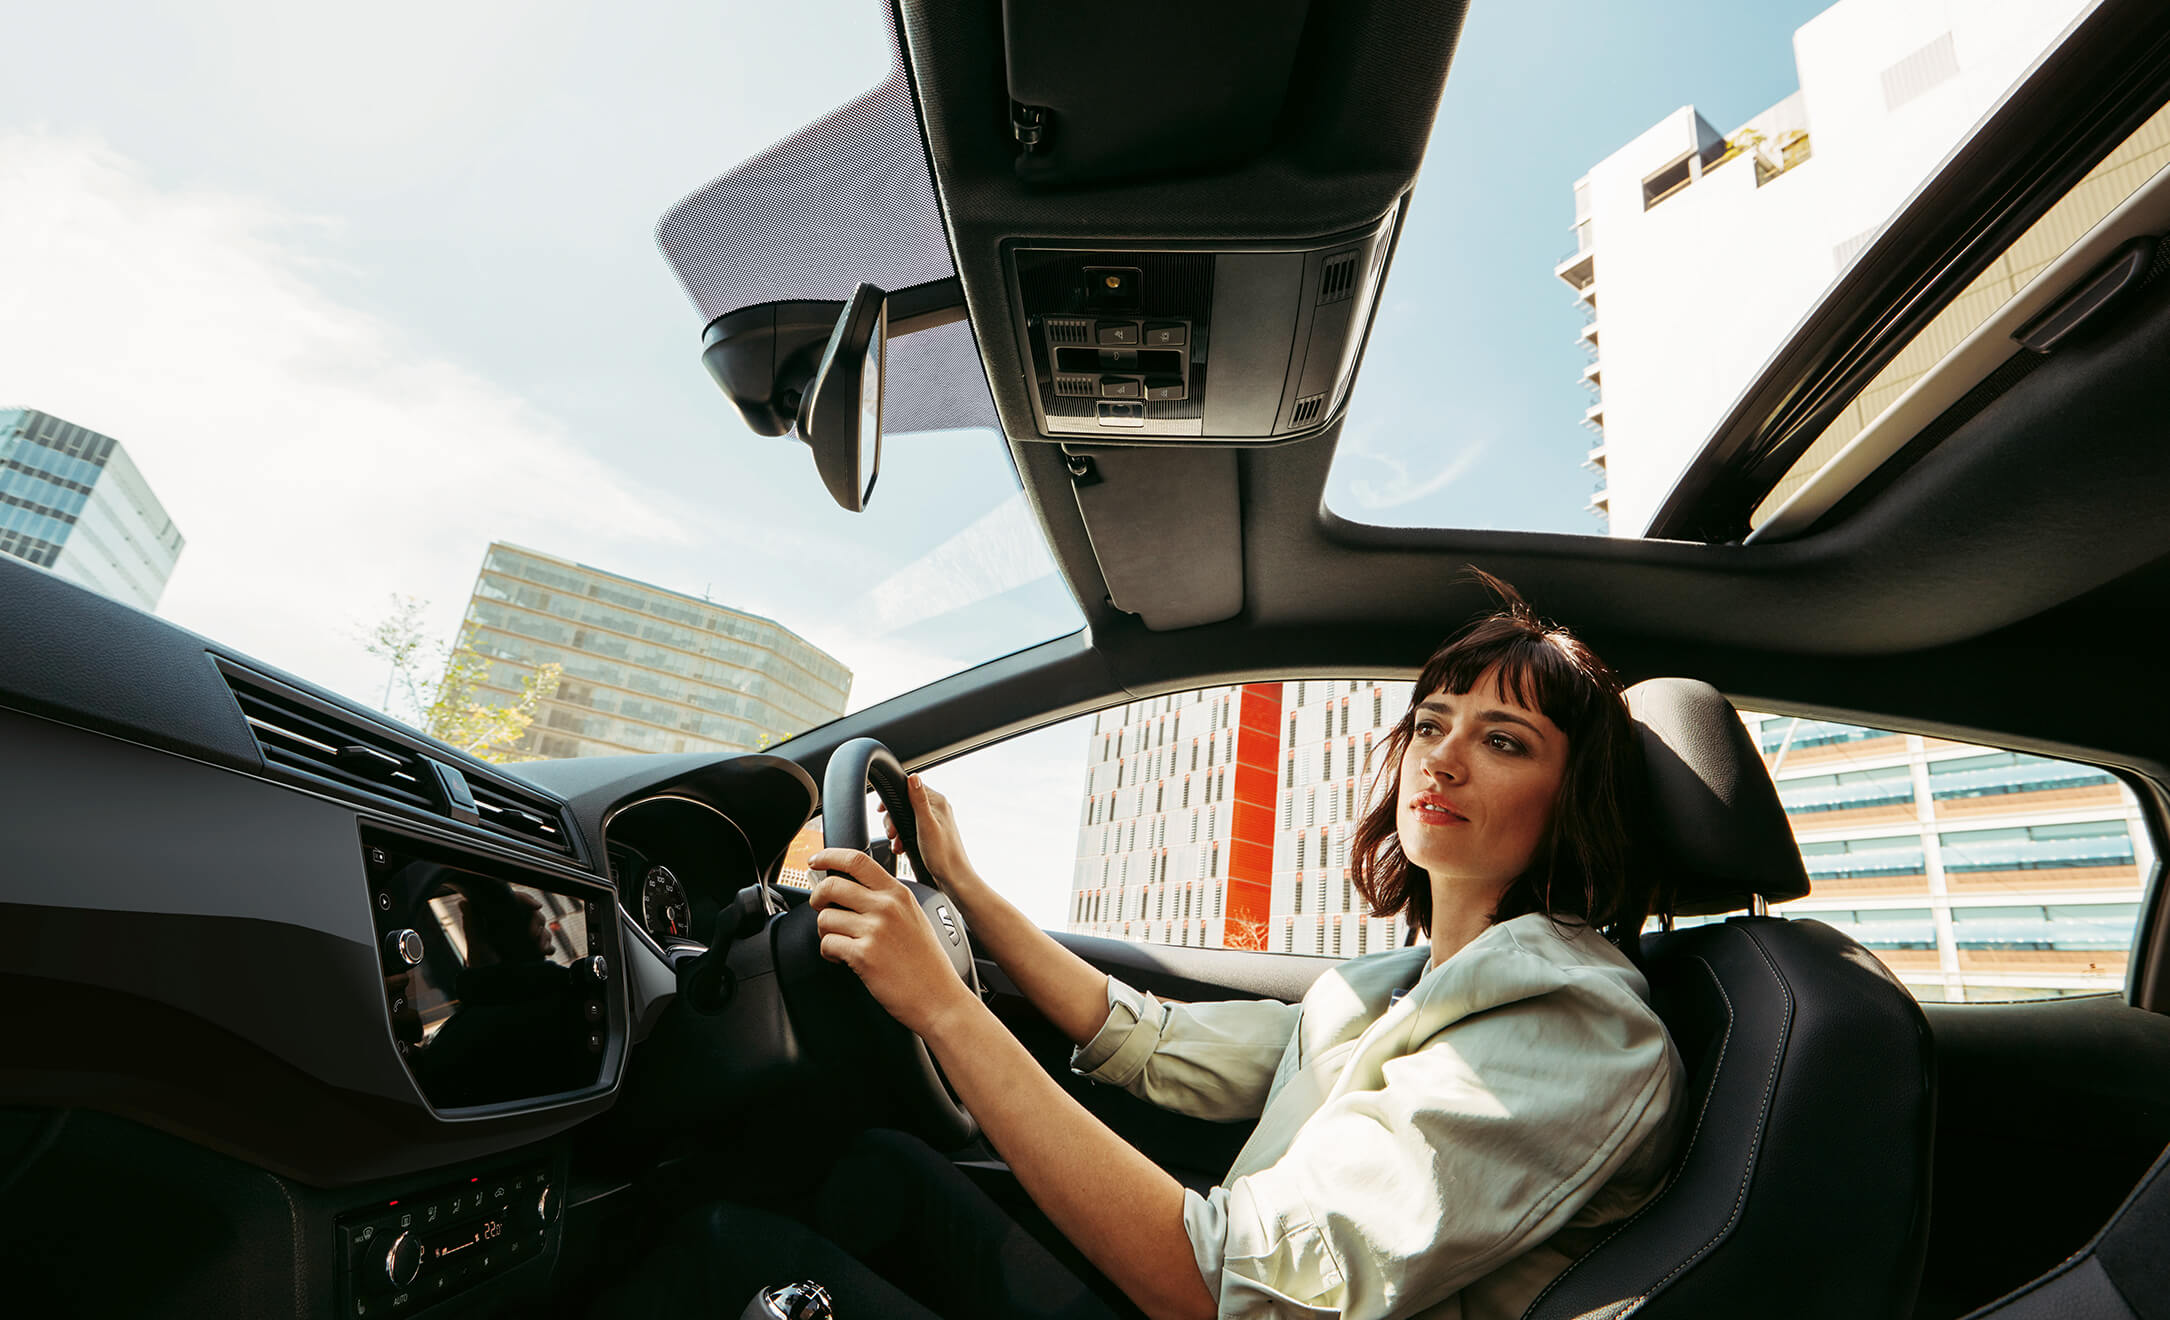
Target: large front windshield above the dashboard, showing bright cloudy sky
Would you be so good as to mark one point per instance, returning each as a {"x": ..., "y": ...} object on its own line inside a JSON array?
[{"x": 376, "y": 333}]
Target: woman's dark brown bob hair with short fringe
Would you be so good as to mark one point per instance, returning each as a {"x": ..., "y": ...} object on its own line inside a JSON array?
[{"x": 1587, "y": 865}]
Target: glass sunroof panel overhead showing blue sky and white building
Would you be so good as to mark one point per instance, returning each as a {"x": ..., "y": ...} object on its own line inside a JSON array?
[{"x": 1720, "y": 170}]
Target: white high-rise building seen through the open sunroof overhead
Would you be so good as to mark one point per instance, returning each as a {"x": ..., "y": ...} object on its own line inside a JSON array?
[{"x": 1700, "y": 251}]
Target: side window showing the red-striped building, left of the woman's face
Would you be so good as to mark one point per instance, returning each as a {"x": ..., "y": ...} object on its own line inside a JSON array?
[{"x": 1214, "y": 820}]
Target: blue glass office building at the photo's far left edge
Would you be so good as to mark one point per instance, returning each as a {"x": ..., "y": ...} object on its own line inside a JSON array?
[{"x": 75, "y": 503}]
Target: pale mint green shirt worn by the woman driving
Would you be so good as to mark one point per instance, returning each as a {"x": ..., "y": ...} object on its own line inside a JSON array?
[{"x": 1442, "y": 1156}]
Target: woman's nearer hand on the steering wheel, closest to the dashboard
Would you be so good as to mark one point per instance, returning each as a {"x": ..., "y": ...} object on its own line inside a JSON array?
[{"x": 876, "y": 926}]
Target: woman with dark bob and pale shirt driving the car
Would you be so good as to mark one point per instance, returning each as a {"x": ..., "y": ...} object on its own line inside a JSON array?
[{"x": 1442, "y": 1130}]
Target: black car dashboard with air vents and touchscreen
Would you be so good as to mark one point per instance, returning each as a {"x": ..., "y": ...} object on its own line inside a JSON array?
[{"x": 361, "y": 1024}]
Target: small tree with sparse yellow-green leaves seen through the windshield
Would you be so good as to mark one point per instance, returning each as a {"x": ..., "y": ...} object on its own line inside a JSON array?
[{"x": 448, "y": 707}]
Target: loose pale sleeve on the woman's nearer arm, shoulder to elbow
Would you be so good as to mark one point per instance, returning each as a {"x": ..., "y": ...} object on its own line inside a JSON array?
[{"x": 1479, "y": 1147}]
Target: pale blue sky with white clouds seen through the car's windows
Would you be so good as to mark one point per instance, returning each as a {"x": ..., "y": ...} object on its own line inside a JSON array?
[{"x": 363, "y": 292}]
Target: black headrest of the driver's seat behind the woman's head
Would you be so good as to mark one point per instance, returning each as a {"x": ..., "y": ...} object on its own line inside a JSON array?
[{"x": 1722, "y": 835}]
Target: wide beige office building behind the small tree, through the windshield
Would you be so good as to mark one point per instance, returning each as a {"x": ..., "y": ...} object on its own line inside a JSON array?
[{"x": 646, "y": 670}]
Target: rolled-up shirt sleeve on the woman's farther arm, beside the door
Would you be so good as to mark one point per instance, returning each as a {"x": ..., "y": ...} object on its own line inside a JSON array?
[{"x": 1205, "y": 1061}]
